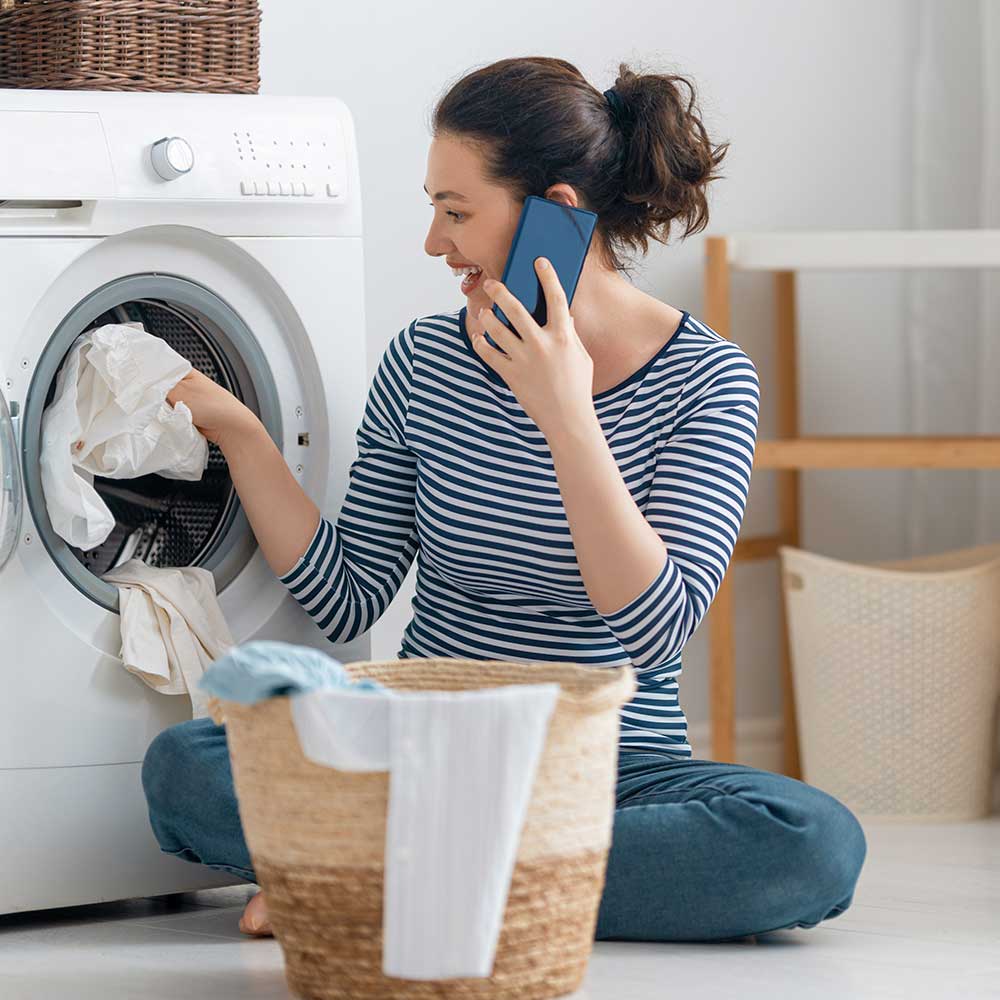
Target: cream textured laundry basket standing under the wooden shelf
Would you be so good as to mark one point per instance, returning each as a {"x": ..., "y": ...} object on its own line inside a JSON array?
[{"x": 896, "y": 669}]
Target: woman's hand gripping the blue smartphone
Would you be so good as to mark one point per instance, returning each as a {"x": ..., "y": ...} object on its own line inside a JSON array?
[{"x": 547, "y": 368}]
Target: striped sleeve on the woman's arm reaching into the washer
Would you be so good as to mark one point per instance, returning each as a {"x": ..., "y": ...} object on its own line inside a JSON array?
[{"x": 351, "y": 570}]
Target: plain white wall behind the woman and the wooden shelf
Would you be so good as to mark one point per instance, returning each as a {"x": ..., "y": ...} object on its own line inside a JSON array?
[{"x": 813, "y": 97}]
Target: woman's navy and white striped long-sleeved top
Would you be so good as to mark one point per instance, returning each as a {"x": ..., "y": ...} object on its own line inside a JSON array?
[{"x": 449, "y": 465}]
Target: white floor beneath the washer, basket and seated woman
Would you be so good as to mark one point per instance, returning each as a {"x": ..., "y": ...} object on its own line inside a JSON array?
[{"x": 925, "y": 923}]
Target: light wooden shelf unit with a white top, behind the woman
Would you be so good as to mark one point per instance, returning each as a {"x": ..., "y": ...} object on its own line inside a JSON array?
[{"x": 785, "y": 253}]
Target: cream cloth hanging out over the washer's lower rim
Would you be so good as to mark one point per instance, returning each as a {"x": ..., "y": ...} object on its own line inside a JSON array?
[{"x": 172, "y": 627}]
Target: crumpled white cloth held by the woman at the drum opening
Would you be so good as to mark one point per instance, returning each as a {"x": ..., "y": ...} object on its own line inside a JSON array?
[{"x": 110, "y": 418}]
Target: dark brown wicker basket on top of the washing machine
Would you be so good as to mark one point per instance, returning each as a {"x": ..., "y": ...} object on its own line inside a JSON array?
[{"x": 210, "y": 46}]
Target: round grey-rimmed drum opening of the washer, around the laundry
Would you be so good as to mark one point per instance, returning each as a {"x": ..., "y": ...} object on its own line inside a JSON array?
[{"x": 161, "y": 521}]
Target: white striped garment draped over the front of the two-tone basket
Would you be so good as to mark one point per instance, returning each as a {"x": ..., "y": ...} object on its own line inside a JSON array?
[{"x": 462, "y": 767}]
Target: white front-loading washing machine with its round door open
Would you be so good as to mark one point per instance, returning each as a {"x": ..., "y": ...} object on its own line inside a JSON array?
[{"x": 230, "y": 226}]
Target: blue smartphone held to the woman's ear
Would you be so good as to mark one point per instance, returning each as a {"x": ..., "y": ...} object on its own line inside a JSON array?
[{"x": 546, "y": 229}]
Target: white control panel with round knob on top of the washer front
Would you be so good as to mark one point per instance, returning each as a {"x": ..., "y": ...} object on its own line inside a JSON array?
[{"x": 178, "y": 148}]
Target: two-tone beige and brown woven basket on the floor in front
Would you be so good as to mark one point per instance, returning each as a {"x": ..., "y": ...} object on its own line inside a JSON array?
[{"x": 316, "y": 836}]
